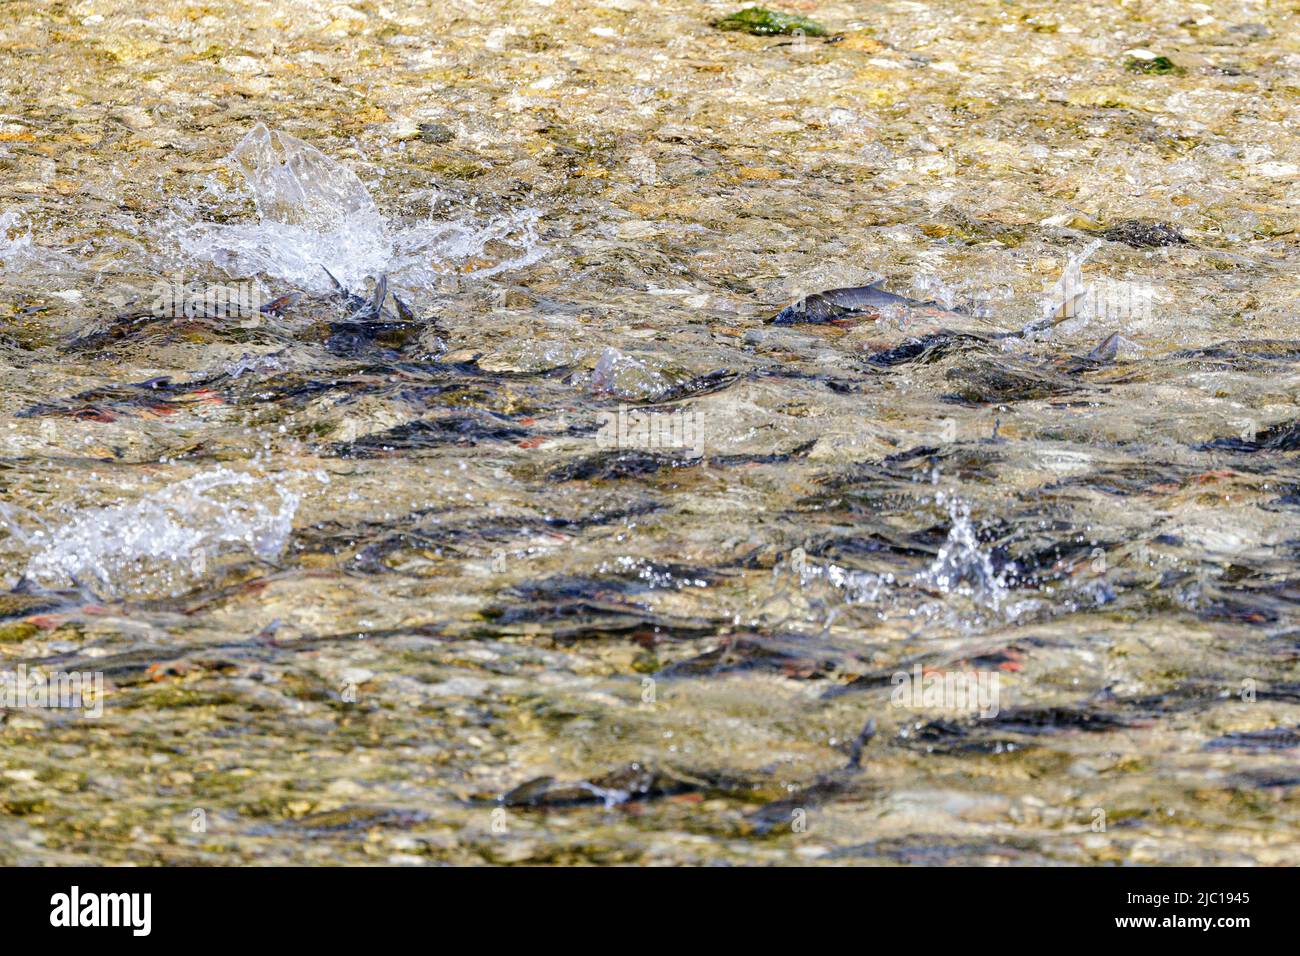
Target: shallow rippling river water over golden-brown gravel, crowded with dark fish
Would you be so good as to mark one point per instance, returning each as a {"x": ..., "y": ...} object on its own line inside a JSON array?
[{"x": 570, "y": 555}]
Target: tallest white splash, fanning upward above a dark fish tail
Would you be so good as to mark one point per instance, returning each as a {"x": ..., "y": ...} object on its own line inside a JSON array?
[{"x": 314, "y": 213}]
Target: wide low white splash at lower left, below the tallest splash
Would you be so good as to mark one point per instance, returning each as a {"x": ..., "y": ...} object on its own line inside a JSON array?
[{"x": 168, "y": 538}]
